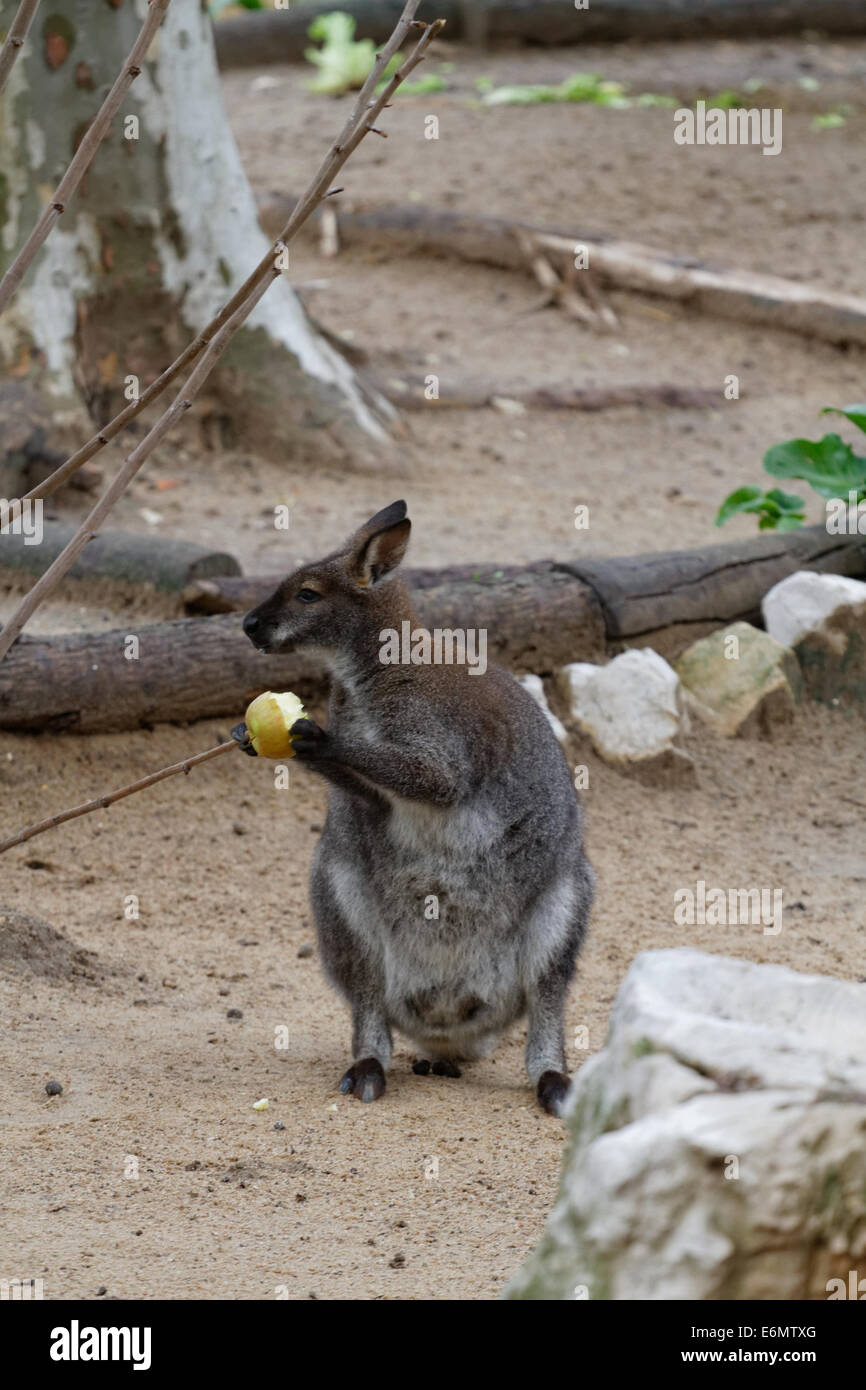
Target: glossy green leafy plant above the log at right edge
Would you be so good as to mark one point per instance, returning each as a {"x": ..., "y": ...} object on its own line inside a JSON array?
[{"x": 828, "y": 465}]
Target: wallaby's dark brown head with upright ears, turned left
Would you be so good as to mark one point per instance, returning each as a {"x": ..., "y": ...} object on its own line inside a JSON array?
[{"x": 337, "y": 603}]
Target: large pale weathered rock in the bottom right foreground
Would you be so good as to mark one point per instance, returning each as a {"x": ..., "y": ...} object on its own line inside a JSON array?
[{"x": 718, "y": 1140}]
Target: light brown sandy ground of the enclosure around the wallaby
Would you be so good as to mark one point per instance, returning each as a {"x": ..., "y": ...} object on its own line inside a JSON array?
[{"x": 152, "y": 1175}]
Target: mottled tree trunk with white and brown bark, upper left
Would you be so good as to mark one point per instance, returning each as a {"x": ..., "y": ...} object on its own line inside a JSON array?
[{"x": 161, "y": 234}]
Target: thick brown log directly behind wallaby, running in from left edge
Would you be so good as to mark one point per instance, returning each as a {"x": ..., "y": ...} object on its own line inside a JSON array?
[{"x": 195, "y": 668}]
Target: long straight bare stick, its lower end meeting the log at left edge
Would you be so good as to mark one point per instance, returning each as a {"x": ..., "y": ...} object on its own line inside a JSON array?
[{"x": 368, "y": 113}]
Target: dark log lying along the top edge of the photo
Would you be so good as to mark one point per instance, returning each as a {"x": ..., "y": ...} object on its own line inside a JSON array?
[{"x": 281, "y": 35}]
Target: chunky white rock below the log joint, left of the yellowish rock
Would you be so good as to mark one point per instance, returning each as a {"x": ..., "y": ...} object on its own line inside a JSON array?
[{"x": 630, "y": 708}]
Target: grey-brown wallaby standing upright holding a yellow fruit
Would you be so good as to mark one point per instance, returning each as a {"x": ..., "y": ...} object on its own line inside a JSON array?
[{"x": 450, "y": 888}]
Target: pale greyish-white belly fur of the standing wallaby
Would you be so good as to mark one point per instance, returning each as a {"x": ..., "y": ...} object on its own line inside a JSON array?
[{"x": 457, "y": 960}]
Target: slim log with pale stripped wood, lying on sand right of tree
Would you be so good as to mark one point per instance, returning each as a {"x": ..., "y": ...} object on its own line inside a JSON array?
[{"x": 710, "y": 288}]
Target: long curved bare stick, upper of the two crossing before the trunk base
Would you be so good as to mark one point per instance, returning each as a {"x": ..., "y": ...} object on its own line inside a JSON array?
[{"x": 351, "y": 136}]
